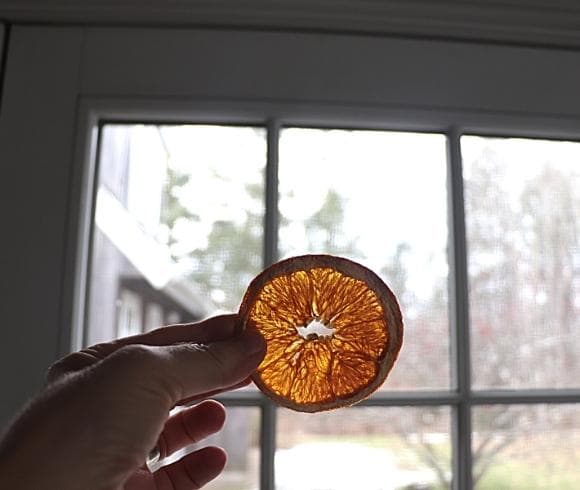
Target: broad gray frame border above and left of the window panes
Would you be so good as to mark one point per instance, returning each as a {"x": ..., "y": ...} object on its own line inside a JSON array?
[{"x": 62, "y": 80}]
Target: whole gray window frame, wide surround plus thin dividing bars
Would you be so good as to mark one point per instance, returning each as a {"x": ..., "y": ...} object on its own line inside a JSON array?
[{"x": 272, "y": 79}]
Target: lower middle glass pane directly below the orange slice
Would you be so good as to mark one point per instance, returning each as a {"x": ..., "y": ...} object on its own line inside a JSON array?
[{"x": 364, "y": 448}]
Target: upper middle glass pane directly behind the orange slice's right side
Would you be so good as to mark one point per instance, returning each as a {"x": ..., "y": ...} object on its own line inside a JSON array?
[{"x": 379, "y": 198}]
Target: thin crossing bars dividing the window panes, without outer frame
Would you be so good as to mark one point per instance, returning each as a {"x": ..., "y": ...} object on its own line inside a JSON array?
[{"x": 460, "y": 397}]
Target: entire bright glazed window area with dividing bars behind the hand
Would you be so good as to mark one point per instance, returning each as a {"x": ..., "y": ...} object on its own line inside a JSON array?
[{"x": 491, "y": 313}]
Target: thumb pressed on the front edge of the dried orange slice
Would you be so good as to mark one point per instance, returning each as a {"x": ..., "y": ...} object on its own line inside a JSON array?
[{"x": 186, "y": 370}]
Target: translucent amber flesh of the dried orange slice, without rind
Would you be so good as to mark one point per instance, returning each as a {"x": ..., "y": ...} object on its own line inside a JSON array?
[{"x": 320, "y": 369}]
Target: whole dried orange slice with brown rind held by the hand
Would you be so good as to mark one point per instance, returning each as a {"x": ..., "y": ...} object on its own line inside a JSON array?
[{"x": 333, "y": 331}]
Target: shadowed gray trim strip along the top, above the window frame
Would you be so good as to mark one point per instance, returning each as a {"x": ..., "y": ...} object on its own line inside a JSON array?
[{"x": 538, "y": 22}]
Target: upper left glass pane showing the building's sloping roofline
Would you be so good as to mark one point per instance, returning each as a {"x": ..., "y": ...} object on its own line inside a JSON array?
[{"x": 178, "y": 224}]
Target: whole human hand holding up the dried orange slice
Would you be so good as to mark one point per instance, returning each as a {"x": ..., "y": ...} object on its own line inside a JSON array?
[{"x": 107, "y": 406}]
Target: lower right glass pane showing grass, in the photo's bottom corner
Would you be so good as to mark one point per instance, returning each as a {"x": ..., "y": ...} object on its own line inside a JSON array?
[{"x": 526, "y": 447}]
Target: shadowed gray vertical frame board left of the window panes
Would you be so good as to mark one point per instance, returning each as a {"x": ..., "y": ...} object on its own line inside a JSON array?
[{"x": 36, "y": 127}]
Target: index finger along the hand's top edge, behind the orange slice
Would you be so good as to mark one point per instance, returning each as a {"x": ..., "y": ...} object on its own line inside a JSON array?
[{"x": 209, "y": 330}]
